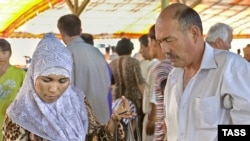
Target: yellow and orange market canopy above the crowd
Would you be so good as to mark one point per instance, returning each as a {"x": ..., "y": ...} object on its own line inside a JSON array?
[{"x": 113, "y": 18}]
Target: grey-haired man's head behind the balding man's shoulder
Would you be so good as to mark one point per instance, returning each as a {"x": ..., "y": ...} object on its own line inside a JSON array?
[{"x": 220, "y": 36}]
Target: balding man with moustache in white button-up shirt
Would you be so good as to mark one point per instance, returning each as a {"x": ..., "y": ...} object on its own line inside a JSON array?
[{"x": 207, "y": 87}]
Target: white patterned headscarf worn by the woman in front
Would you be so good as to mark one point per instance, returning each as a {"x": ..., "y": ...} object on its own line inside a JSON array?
[{"x": 64, "y": 119}]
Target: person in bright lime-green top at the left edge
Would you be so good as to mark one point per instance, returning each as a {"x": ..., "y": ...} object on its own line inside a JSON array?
[{"x": 11, "y": 79}]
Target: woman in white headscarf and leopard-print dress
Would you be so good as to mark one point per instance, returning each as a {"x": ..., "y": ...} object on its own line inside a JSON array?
[{"x": 47, "y": 106}]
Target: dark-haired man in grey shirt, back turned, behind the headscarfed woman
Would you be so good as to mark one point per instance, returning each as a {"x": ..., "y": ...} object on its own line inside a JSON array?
[{"x": 90, "y": 70}]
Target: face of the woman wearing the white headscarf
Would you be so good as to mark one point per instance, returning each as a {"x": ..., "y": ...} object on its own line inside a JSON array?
[{"x": 50, "y": 88}]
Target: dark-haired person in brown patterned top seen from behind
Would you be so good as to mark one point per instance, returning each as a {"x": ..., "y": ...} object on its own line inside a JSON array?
[{"x": 127, "y": 77}]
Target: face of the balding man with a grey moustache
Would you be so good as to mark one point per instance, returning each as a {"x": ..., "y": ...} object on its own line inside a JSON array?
[{"x": 175, "y": 43}]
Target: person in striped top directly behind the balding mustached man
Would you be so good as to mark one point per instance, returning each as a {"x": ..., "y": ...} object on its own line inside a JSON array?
[{"x": 161, "y": 71}]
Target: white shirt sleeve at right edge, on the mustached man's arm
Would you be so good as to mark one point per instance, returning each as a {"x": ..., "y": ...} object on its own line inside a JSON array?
[{"x": 237, "y": 86}]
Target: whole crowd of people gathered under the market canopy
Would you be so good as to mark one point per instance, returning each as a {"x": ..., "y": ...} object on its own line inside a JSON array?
[{"x": 181, "y": 88}]
